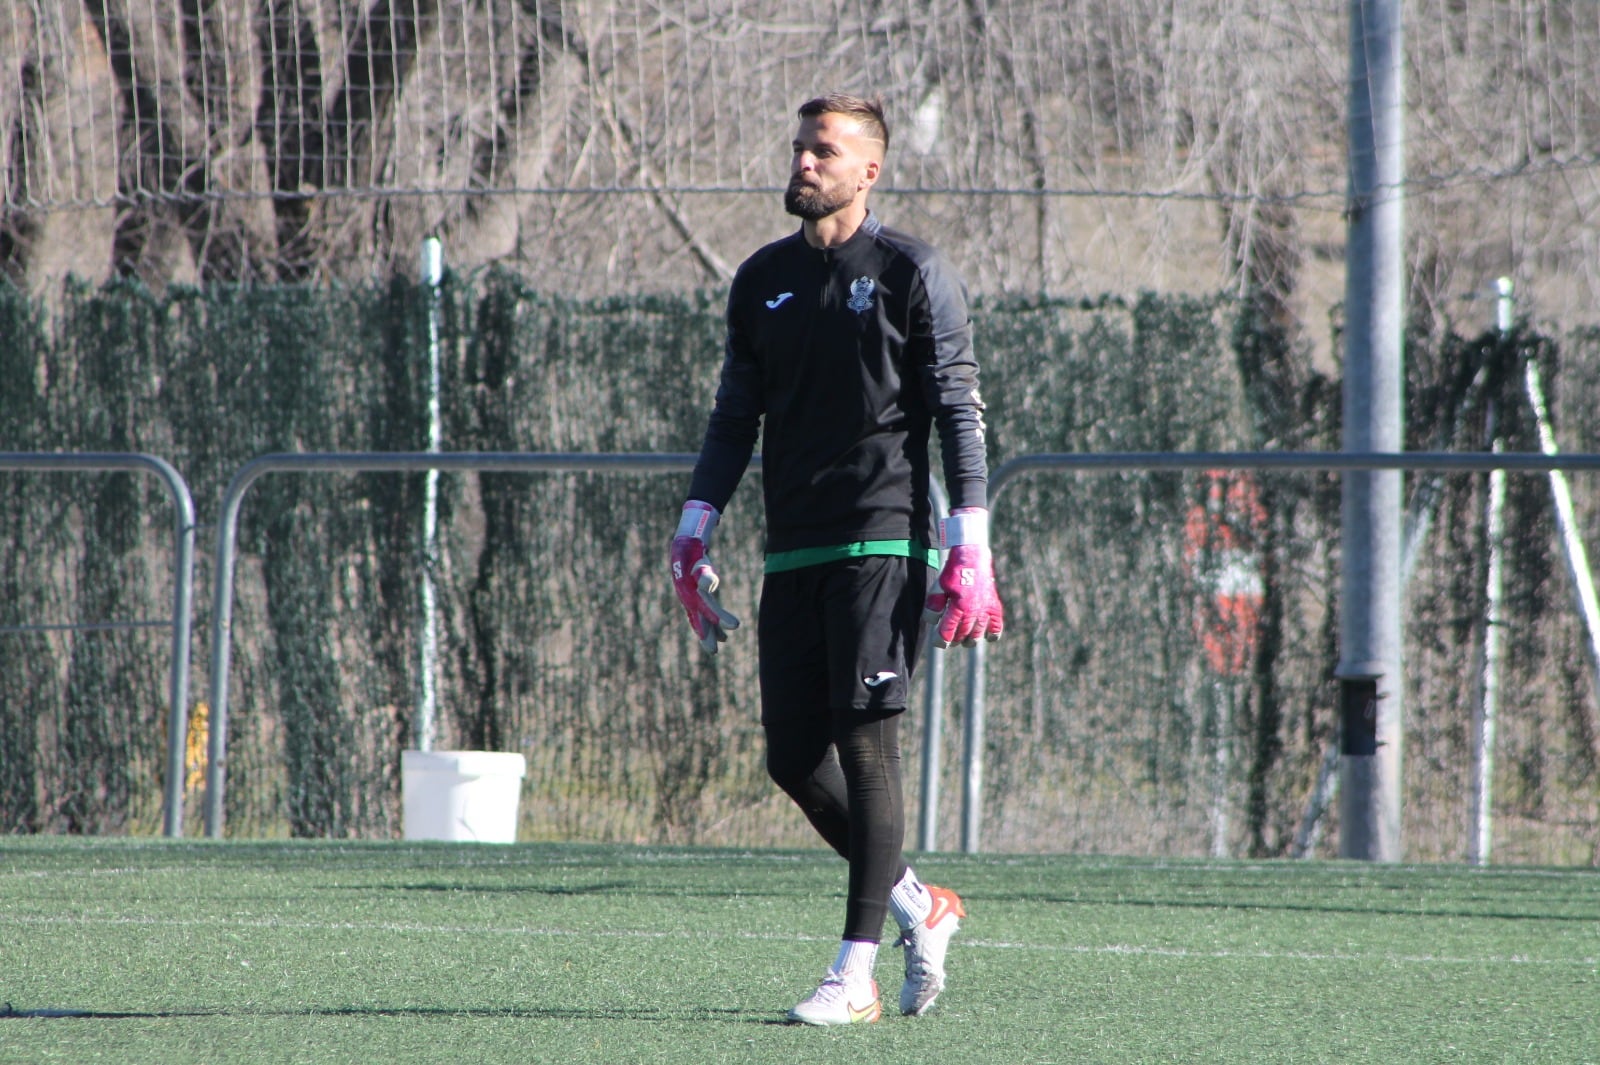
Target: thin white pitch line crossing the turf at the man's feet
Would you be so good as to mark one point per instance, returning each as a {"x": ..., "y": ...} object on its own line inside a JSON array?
[{"x": 1134, "y": 951}]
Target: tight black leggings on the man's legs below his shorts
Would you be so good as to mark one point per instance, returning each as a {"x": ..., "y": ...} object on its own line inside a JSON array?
[{"x": 847, "y": 781}]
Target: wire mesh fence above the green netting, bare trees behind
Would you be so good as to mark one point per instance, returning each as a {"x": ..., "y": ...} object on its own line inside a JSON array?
[{"x": 617, "y": 148}]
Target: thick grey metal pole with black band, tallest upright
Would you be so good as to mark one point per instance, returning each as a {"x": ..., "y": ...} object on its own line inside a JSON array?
[{"x": 1370, "y": 634}]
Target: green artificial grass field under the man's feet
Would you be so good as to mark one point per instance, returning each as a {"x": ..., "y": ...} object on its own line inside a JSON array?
[{"x": 122, "y": 951}]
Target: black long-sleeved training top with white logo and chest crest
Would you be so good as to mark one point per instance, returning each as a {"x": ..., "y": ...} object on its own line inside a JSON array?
[{"x": 849, "y": 354}]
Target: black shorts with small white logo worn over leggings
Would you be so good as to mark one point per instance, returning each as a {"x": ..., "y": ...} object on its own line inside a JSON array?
[{"x": 841, "y": 636}]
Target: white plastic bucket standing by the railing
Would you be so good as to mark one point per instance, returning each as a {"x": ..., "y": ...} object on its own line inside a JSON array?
[{"x": 465, "y": 796}]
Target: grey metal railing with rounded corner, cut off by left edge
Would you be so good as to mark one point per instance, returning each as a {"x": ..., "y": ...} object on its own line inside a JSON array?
[{"x": 183, "y": 596}]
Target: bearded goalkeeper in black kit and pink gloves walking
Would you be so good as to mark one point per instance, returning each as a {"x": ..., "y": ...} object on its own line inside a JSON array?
[{"x": 850, "y": 341}]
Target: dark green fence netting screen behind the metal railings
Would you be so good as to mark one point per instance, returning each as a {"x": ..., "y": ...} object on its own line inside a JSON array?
[{"x": 1164, "y": 688}]
